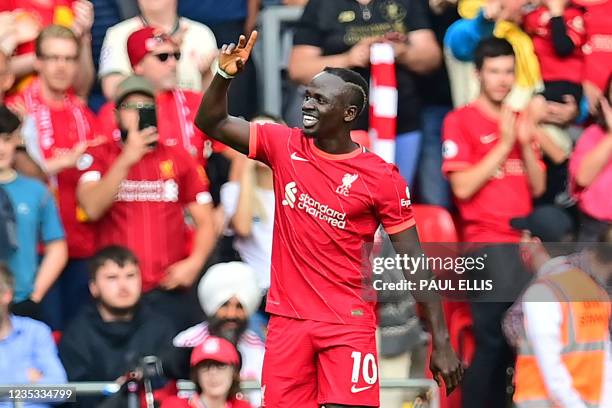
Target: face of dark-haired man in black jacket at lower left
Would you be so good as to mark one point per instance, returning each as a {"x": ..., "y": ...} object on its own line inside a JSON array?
[{"x": 117, "y": 288}]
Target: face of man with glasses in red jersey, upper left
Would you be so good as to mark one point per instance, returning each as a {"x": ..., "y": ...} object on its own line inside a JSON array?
[{"x": 58, "y": 64}]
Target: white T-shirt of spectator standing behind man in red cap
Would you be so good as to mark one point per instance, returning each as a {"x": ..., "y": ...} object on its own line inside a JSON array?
[{"x": 198, "y": 43}]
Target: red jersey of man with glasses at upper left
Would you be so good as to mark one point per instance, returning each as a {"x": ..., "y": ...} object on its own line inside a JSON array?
[{"x": 62, "y": 130}]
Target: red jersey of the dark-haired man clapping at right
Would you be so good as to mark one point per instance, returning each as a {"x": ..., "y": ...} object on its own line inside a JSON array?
[{"x": 468, "y": 136}]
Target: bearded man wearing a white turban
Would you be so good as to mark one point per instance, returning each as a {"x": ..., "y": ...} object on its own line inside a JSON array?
[{"x": 229, "y": 295}]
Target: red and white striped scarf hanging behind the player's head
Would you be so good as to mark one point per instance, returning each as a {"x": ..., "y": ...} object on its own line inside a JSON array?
[{"x": 383, "y": 101}]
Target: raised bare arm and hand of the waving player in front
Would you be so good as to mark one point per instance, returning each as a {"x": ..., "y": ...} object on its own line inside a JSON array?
[{"x": 213, "y": 118}]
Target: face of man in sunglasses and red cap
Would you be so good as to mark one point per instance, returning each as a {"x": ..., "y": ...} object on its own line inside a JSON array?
[{"x": 159, "y": 66}]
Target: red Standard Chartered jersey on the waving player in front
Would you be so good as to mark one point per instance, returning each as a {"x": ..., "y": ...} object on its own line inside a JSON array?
[{"x": 327, "y": 208}]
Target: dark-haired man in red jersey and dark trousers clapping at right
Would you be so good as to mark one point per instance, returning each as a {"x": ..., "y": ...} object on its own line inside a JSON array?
[{"x": 494, "y": 172}]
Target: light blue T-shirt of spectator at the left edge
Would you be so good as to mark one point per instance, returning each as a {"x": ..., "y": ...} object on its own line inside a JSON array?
[{"x": 37, "y": 220}]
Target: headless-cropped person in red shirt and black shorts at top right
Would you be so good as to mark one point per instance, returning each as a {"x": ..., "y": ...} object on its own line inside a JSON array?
[{"x": 558, "y": 33}]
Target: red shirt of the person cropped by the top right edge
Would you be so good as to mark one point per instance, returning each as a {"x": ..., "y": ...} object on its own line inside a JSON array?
[{"x": 553, "y": 67}]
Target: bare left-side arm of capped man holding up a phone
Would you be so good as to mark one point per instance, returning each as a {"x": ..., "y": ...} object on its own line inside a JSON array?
[{"x": 96, "y": 196}]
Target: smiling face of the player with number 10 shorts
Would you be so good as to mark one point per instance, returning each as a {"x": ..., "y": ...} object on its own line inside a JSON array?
[{"x": 324, "y": 105}]
